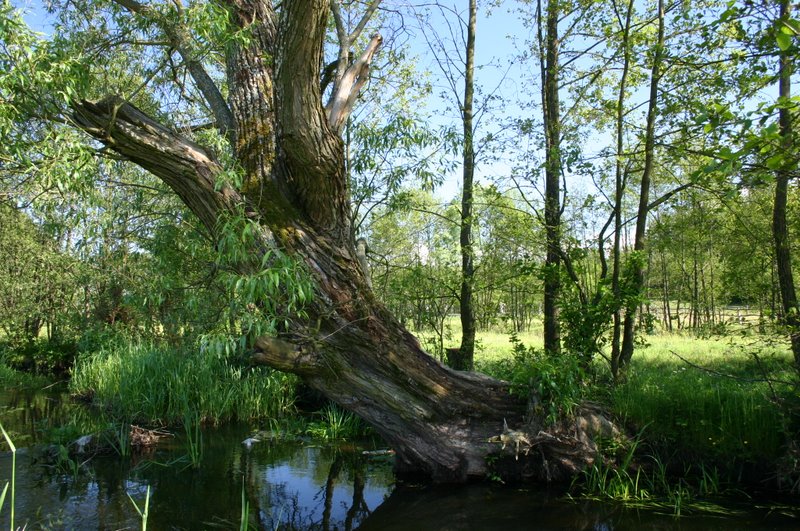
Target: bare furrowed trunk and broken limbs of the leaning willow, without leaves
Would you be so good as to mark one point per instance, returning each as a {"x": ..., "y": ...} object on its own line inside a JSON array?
[{"x": 288, "y": 144}]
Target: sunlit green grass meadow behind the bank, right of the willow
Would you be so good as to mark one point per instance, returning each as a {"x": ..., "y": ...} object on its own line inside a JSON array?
[{"x": 722, "y": 401}]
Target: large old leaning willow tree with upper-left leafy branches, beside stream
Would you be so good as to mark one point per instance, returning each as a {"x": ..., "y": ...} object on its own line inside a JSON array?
[{"x": 281, "y": 111}]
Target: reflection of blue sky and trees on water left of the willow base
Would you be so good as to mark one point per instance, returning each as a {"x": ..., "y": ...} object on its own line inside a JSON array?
[{"x": 287, "y": 486}]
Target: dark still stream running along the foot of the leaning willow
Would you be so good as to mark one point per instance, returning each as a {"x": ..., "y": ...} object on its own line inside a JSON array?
[{"x": 287, "y": 485}]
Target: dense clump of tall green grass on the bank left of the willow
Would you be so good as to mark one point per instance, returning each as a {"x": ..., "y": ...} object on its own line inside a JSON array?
[{"x": 149, "y": 383}]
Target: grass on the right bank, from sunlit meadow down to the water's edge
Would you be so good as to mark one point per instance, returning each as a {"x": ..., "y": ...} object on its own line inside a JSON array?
[{"x": 728, "y": 405}]
